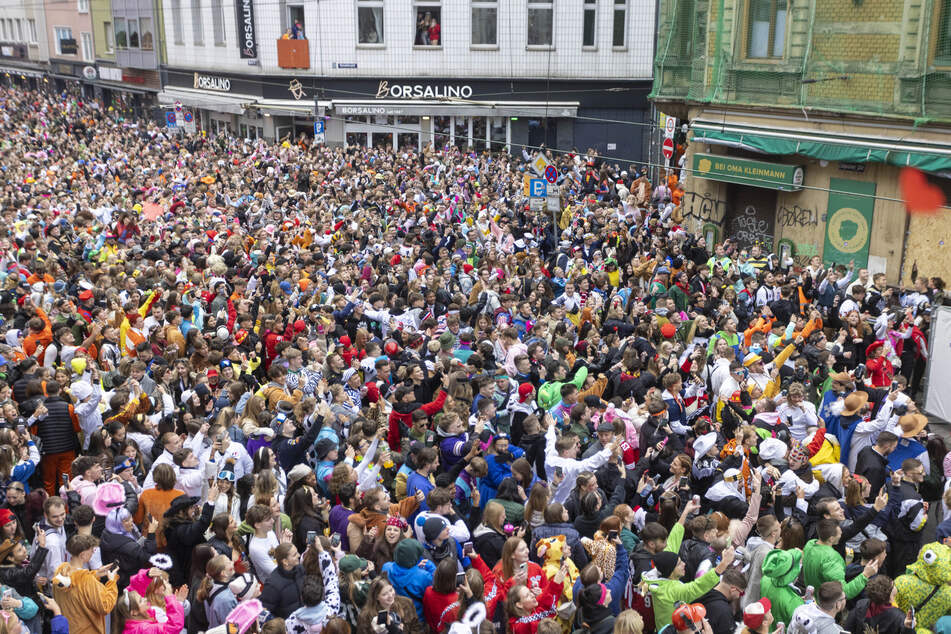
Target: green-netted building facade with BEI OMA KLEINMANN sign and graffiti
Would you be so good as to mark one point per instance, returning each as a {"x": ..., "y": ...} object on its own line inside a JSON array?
[{"x": 801, "y": 117}]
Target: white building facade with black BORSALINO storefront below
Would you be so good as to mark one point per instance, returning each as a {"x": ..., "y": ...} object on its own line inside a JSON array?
[{"x": 472, "y": 73}]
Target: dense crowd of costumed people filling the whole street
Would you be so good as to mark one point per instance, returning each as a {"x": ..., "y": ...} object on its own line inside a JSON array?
[{"x": 274, "y": 387}]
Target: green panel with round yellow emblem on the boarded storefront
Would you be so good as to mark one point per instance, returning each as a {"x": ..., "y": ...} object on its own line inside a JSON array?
[{"x": 849, "y": 222}]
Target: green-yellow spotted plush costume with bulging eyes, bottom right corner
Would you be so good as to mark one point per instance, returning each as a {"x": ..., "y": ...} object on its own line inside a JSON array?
[{"x": 932, "y": 569}]
